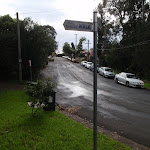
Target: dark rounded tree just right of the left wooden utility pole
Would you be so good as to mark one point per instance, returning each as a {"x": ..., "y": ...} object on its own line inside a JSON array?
[{"x": 38, "y": 42}]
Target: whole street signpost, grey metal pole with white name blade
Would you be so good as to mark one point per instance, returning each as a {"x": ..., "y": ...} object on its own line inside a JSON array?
[{"x": 89, "y": 27}]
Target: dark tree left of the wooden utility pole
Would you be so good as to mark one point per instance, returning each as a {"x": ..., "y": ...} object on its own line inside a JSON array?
[{"x": 8, "y": 45}]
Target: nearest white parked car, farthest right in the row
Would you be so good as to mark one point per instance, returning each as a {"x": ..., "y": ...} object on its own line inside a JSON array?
[{"x": 129, "y": 79}]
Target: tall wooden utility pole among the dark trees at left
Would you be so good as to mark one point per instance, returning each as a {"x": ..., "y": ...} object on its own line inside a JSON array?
[{"x": 19, "y": 50}]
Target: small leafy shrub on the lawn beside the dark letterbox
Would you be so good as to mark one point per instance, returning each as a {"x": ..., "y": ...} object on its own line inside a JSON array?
[{"x": 39, "y": 92}]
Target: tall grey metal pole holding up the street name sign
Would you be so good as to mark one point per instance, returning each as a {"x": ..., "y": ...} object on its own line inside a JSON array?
[{"x": 95, "y": 79}]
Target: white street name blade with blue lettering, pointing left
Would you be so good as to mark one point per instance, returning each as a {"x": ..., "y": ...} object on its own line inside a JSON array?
[{"x": 78, "y": 25}]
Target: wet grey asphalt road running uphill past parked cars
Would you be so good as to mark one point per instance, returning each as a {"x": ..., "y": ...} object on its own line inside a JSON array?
[{"x": 120, "y": 109}]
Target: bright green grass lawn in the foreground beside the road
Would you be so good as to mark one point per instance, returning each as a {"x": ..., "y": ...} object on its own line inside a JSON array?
[{"x": 20, "y": 130}]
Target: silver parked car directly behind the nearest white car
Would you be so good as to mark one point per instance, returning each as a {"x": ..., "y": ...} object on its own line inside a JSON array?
[{"x": 106, "y": 72}]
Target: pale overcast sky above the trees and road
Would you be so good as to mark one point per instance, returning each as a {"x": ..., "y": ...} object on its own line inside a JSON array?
[{"x": 54, "y": 13}]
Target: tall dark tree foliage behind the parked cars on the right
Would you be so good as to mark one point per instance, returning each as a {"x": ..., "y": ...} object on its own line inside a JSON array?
[{"x": 131, "y": 53}]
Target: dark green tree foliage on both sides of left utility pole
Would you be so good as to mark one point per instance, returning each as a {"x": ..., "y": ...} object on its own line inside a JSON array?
[{"x": 37, "y": 43}]
